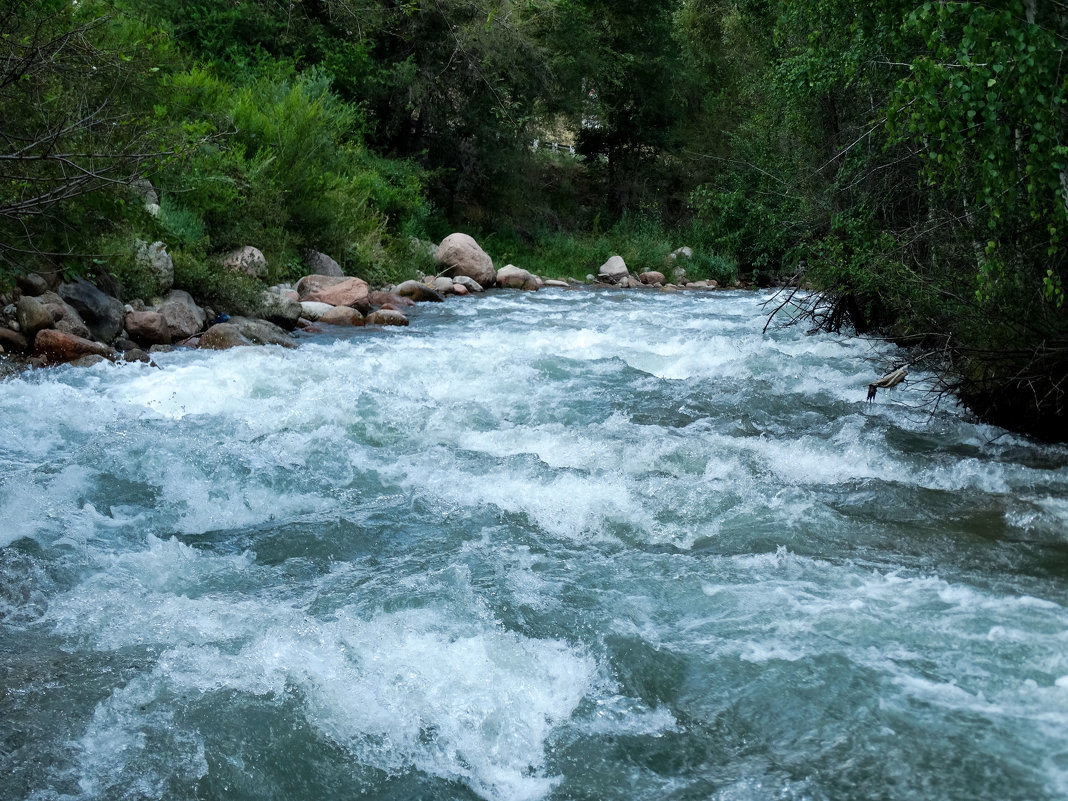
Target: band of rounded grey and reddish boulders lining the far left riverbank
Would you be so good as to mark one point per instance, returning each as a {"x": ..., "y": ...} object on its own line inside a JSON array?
[{"x": 46, "y": 321}]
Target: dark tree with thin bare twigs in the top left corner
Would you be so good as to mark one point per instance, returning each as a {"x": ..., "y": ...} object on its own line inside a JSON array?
[{"x": 75, "y": 123}]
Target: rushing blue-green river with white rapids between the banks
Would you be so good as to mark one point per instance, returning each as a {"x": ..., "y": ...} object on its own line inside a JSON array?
[{"x": 571, "y": 545}]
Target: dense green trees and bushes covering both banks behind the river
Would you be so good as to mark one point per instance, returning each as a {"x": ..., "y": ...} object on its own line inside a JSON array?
[{"x": 907, "y": 160}]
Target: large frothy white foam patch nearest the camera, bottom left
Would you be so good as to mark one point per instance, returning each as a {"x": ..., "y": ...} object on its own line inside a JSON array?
[{"x": 439, "y": 689}]
